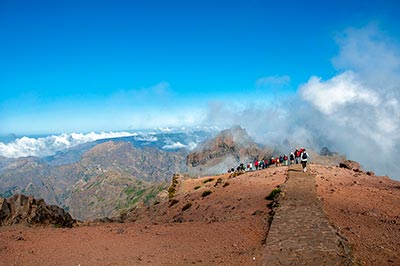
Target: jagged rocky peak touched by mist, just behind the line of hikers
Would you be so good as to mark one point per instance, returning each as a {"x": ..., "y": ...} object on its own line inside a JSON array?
[{"x": 228, "y": 149}]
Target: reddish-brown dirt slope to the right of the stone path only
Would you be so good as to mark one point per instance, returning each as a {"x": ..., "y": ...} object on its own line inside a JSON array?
[{"x": 366, "y": 211}]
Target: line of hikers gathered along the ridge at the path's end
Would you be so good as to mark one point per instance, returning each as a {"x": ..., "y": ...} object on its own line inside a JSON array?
[{"x": 295, "y": 157}]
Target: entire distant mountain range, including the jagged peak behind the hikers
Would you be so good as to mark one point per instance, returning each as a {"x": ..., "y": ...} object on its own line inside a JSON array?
[{"x": 107, "y": 177}]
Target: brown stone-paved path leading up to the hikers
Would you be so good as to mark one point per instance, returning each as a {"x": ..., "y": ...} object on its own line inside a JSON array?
[{"x": 300, "y": 233}]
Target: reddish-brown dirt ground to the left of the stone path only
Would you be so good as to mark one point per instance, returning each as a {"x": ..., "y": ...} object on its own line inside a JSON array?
[{"x": 226, "y": 227}]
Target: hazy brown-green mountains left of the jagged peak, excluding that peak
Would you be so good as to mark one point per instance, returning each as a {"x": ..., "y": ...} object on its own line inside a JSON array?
[{"x": 103, "y": 177}]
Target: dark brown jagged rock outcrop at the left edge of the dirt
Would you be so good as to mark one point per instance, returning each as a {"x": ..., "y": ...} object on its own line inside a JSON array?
[{"x": 20, "y": 209}]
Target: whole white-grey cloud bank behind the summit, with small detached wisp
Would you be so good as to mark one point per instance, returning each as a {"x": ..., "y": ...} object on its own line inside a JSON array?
[{"x": 356, "y": 112}]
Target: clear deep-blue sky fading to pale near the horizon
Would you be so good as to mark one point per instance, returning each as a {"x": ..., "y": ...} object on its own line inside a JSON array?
[{"x": 78, "y": 66}]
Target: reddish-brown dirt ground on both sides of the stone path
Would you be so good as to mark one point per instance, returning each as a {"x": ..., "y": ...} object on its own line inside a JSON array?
[{"x": 225, "y": 227}]
